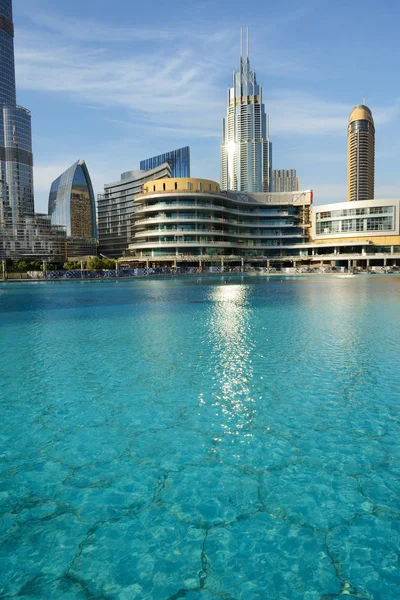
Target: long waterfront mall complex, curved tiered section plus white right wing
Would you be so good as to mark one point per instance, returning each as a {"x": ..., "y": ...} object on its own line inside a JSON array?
[{"x": 187, "y": 221}]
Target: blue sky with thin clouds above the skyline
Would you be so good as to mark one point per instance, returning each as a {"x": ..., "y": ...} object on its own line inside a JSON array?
[{"x": 115, "y": 86}]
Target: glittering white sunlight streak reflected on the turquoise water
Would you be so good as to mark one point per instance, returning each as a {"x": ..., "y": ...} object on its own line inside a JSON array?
[{"x": 231, "y": 349}]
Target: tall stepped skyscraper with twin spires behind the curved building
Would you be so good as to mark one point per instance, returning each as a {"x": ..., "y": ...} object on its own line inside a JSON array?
[{"x": 246, "y": 150}]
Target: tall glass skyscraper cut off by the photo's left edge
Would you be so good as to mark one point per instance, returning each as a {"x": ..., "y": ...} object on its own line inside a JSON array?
[{"x": 16, "y": 161}]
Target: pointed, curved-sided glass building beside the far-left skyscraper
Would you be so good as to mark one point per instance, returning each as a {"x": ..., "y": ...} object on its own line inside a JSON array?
[{"x": 72, "y": 204}]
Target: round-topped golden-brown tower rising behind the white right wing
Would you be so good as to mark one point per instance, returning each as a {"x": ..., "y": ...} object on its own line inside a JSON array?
[{"x": 361, "y": 154}]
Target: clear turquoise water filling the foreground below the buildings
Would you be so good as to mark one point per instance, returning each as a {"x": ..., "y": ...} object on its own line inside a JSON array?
[{"x": 200, "y": 438}]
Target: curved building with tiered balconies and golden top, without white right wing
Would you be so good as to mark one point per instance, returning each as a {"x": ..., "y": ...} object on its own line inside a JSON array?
[{"x": 193, "y": 218}]
